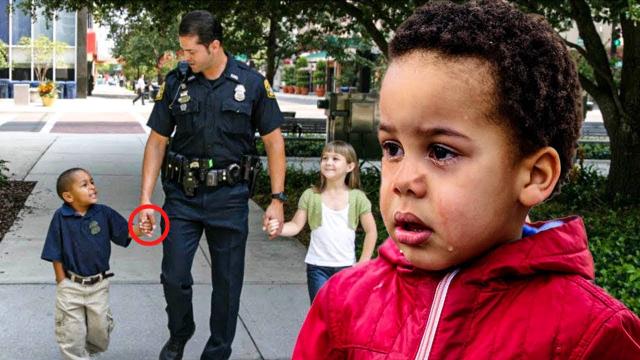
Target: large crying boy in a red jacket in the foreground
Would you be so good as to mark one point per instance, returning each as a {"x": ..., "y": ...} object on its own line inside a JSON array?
[{"x": 480, "y": 113}]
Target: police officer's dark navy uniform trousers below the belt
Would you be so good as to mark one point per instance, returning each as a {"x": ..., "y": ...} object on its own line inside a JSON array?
[{"x": 222, "y": 214}]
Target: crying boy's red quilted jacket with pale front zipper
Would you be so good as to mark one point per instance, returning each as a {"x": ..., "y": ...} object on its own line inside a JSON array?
[{"x": 529, "y": 299}]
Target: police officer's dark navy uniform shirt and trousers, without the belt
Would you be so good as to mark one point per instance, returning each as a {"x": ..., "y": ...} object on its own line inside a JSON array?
[{"x": 214, "y": 120}]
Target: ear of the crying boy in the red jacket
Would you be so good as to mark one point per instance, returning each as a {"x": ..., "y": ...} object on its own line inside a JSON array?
[{"x": 539, "y": 174}]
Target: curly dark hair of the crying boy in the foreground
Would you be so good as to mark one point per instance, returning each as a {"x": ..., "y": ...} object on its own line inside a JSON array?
[{"x": 537, "y": 89}]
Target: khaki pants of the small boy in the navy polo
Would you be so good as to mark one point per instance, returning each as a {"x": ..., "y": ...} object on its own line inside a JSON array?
[{"x": 83, "y": 318}]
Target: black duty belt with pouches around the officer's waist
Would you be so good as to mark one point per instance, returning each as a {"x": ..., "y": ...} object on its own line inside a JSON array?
[{"x": 194, "y": 172}]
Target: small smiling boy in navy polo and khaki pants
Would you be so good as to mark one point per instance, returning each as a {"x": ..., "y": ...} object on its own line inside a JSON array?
[{"x": 78, "y": 244}]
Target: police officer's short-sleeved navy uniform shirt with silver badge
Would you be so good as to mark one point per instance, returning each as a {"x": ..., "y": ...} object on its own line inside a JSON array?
[{"x": 216, "y": 121}]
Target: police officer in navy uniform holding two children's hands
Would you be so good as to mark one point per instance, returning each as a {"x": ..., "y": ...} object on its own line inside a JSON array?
[{"x": 215, "y": 106}]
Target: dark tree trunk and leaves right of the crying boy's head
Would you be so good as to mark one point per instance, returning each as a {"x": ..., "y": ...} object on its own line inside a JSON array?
[{"x": 617, "y": 92}]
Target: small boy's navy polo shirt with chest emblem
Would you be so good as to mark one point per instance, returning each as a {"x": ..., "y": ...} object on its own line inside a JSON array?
[{"x": 83, "y": 243}]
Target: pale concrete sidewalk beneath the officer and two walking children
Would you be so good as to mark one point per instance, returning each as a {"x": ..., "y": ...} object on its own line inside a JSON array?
[{"x": 274, "y": 298}]
